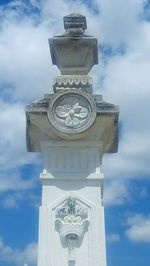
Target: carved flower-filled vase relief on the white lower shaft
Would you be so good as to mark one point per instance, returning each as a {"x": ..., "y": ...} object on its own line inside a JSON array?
[{"x": 72, "y": 222}]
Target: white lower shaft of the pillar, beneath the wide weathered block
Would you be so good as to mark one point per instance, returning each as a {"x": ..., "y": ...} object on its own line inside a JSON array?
[{"x": 71, "y": 170}]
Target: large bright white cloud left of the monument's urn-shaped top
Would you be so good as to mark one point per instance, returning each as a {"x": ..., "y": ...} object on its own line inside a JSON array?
[{"x": 25, "y": 60}]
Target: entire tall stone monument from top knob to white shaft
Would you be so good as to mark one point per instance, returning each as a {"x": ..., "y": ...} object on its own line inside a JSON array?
[{"x": 72, "y": 128}]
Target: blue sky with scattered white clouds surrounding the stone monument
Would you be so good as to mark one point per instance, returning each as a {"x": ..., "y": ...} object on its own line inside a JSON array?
[{"x": 122, "y": 77}]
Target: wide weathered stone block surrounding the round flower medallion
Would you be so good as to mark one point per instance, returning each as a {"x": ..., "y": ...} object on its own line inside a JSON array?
[{"x": 103, "y": 129}]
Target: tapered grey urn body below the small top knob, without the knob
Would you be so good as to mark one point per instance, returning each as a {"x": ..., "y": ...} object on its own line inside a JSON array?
[{"x": 75, "y": 55}]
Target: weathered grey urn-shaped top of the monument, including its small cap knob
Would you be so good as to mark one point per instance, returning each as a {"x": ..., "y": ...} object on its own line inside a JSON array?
[{"x": 73, "y": 52}]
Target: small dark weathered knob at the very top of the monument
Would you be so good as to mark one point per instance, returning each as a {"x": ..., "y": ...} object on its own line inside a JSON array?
[{"x": 74, "y": 21}]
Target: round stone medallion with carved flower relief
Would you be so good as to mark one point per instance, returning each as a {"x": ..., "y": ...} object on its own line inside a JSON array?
[{"x": 72, "y": 112}]
